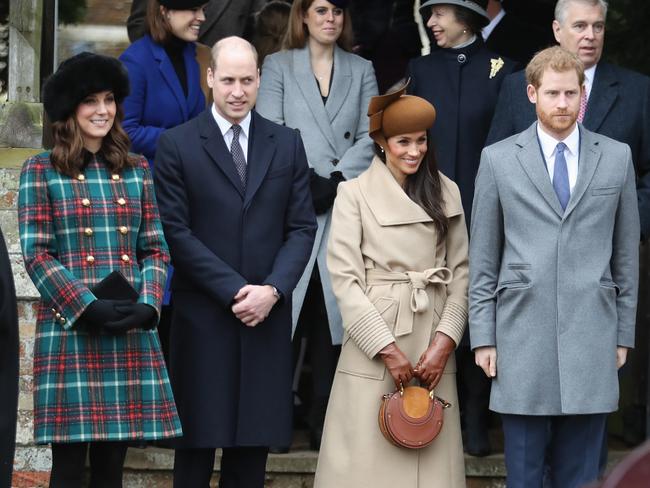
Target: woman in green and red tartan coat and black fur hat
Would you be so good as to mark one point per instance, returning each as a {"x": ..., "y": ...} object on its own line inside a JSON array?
[{"x": 87, "y": 208}]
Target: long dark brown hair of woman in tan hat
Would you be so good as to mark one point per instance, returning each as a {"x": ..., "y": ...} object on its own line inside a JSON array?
[{"x": 425, "y": 188}]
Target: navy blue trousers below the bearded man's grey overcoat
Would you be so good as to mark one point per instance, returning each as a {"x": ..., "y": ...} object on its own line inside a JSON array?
[{"x": 570, "y": 444}]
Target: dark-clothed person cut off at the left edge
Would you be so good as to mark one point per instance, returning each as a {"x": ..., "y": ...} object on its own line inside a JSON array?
[{"x": 8, "y": 366}]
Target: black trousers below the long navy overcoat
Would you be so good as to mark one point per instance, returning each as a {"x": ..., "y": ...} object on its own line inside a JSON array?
[{"x": 241, "y": 467}]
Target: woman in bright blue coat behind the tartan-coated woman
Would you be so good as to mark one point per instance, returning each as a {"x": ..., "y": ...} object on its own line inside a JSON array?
[{"x": 164, "y": 73}]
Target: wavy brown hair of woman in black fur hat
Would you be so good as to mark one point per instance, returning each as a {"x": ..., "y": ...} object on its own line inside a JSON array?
[{"x": 67, "y": 155}]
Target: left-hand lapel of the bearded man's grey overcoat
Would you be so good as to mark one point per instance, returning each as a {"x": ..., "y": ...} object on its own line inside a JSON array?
[{"x": 531, "y": 159}]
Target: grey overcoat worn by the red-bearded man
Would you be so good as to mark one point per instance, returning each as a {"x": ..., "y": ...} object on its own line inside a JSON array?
[{"x": 554, "y": 291}]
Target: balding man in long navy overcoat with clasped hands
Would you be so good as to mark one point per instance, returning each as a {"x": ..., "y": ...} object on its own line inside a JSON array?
[{"x": 233, "y": 192}]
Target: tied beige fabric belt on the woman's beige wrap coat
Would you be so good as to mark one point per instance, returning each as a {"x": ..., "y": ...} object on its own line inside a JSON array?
[{"x": 414, "y": 294}]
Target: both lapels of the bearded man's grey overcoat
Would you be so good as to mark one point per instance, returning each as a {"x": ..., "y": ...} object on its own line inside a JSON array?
[{"x": 531, "y": 159}]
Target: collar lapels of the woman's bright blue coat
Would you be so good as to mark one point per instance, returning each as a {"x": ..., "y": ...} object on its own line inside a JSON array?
[{"x": 169, "y": 75}]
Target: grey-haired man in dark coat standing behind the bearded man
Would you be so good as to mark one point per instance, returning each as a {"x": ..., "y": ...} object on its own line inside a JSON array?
[{"x": 617, "y": 101}]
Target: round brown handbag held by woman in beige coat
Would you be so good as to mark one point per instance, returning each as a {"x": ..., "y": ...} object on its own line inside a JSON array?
[{"x": 411, "y": 417}]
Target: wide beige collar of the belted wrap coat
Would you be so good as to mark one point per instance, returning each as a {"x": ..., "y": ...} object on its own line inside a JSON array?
[{"x": 388, "y": 202}]
